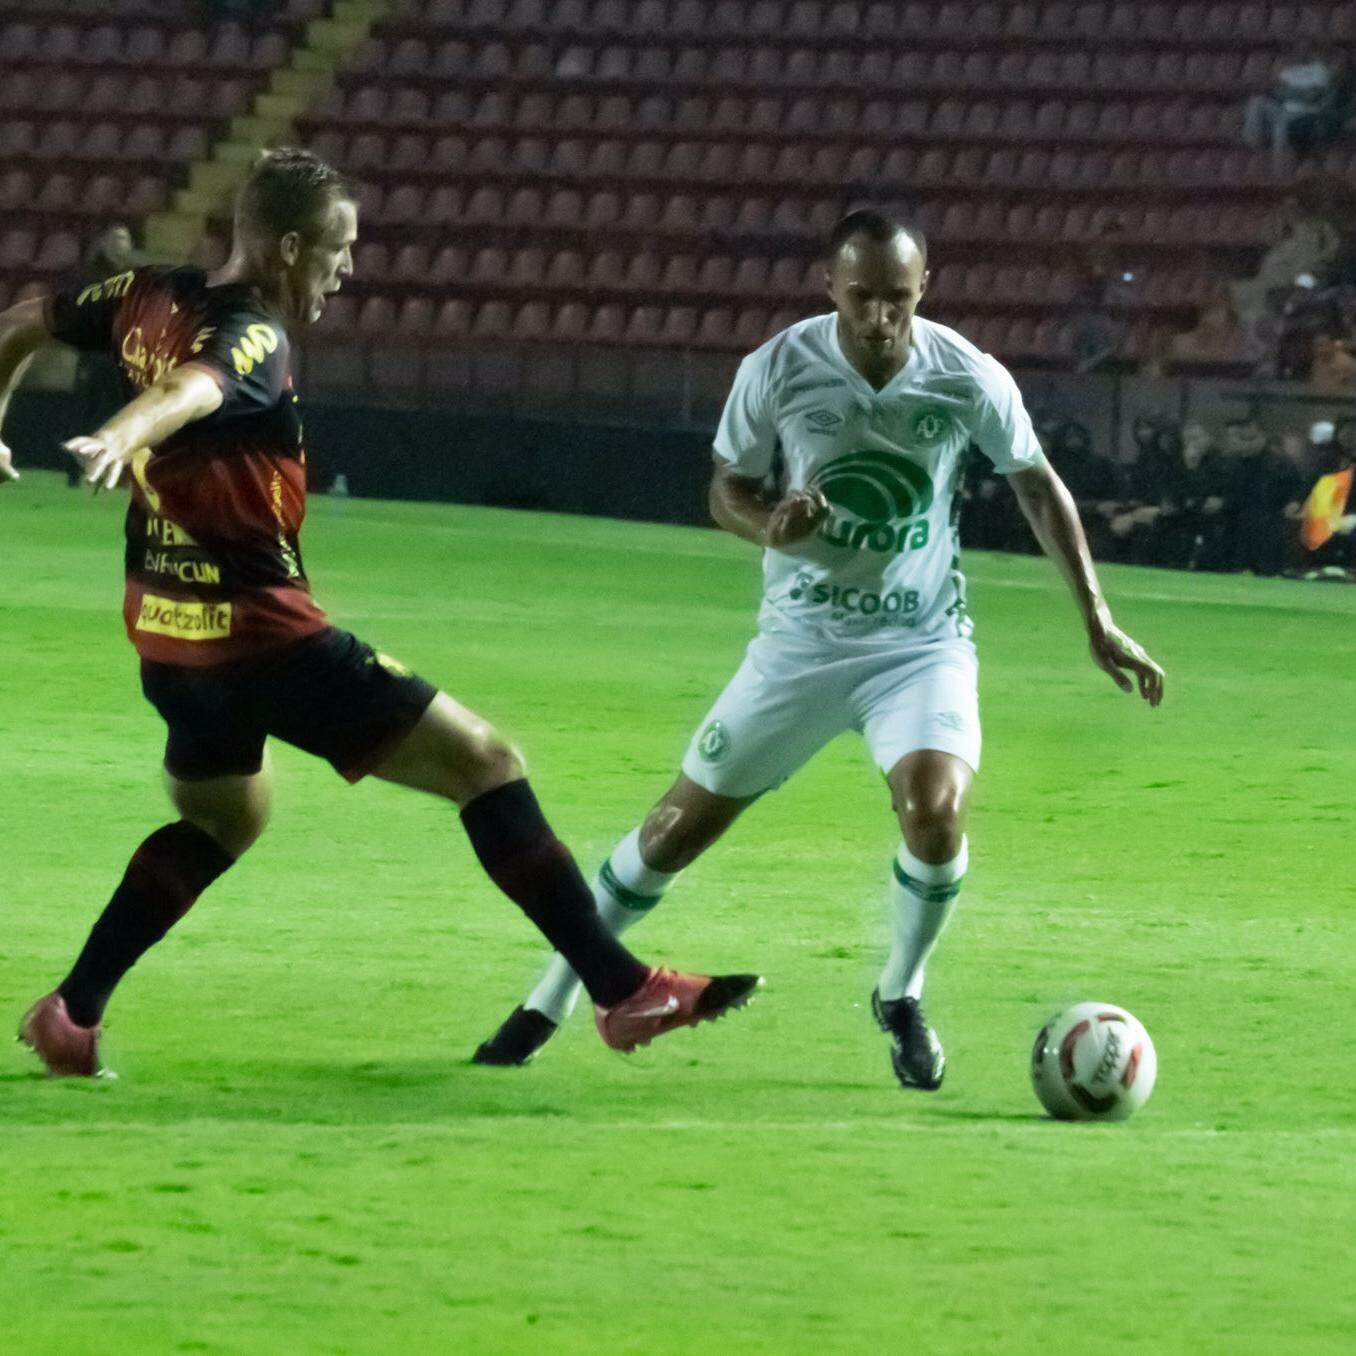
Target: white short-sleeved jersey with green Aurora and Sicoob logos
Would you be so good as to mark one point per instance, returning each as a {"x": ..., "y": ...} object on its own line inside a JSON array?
[{"x": 886, "y": 563}]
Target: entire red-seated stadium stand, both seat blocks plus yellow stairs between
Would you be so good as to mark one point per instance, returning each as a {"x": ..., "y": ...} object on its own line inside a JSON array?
[{"x": 660, "y": 173}]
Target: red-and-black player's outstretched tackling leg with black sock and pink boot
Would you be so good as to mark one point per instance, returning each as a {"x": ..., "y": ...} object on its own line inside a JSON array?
[{"x": 456, "y": 755}]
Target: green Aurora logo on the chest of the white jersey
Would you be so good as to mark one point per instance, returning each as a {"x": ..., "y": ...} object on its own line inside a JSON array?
[{"x": 878, "y": 501}]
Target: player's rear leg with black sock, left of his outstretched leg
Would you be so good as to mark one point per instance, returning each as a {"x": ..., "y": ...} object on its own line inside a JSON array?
[{"x": 222, "y": 817}]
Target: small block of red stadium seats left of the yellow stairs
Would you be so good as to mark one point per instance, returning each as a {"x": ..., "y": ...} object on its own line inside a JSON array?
[{"x": 106, "y": 108}]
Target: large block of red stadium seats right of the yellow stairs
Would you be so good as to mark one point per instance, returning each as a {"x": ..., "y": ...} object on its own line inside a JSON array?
[{"x": 671, "y": 167}]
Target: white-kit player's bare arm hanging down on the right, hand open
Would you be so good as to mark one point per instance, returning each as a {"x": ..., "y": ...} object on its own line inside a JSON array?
[{"x": 1050, "y": 509}]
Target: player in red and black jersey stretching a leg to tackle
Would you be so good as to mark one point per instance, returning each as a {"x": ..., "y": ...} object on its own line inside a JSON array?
[{"x": 234, "y": 647}]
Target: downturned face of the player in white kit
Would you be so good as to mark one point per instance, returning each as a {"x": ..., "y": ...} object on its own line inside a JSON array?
[{"x": 877, "y": 288}]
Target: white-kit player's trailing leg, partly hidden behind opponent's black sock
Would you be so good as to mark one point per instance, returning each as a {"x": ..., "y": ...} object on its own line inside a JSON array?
[{"x": 633, "y": 881}]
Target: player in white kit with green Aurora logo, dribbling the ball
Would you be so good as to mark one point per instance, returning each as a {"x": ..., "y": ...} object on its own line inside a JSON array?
[{"x": 864, "y": 624}]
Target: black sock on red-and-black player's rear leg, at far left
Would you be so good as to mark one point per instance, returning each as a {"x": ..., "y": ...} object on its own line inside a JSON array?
[{"x": 163, "y": 879}]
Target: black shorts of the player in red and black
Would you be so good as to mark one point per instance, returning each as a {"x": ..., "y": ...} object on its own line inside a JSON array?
[{"x": 330, "y": 695}]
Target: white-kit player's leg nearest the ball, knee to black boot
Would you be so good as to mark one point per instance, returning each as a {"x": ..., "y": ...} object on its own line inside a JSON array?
[{"x": 931, "y": 793}]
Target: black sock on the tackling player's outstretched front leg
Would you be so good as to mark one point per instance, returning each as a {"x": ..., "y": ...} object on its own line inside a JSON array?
[{"x": 536, "y": 871}]
